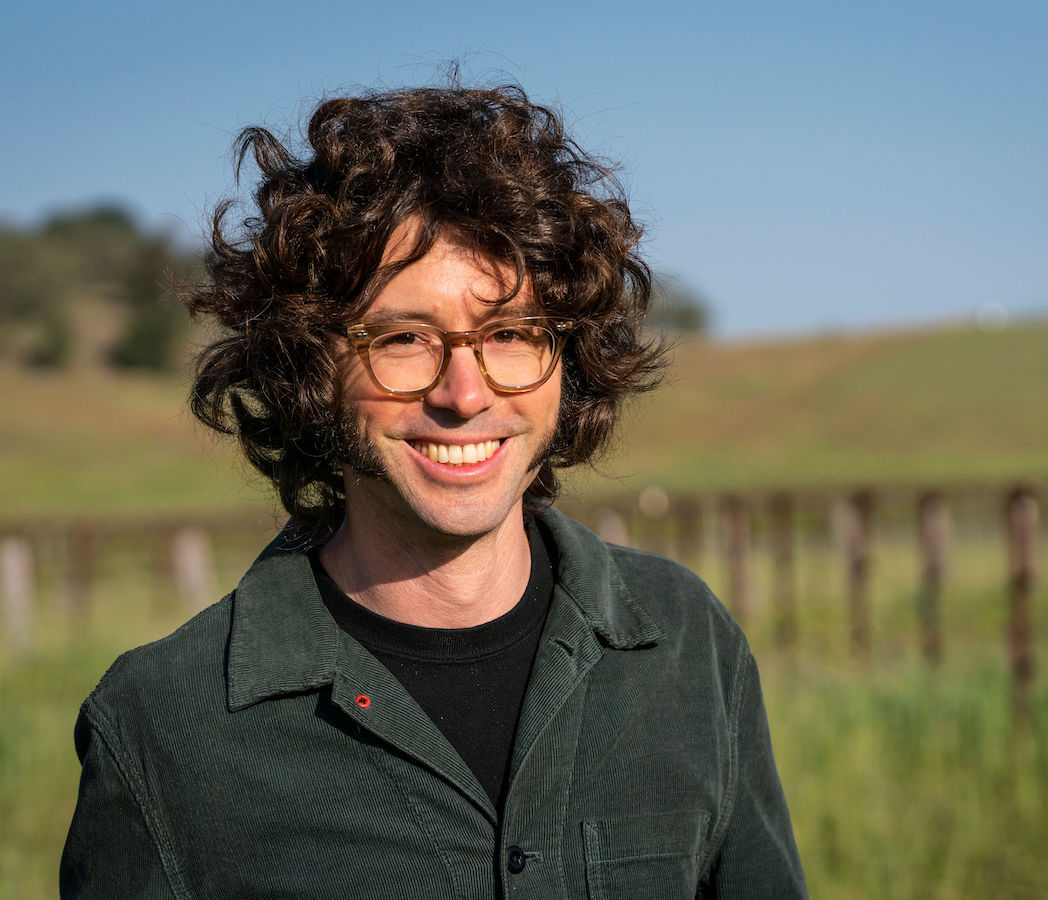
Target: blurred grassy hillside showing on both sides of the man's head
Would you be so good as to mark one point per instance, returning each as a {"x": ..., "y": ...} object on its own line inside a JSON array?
[{"x": 948, "y": 406}]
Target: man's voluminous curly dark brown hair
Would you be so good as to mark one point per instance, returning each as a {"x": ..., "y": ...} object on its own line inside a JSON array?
[{"x": 486, "y": 168}]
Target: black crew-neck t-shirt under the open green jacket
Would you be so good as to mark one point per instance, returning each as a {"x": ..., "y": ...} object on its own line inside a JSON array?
[{"x": 470, "y": 682}]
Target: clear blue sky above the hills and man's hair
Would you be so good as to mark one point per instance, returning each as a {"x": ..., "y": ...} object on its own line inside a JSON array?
[{"x": 806, "y": 166}]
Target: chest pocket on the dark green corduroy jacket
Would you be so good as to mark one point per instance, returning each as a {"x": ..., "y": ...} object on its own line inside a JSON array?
[{"x": 645, "y": 855}]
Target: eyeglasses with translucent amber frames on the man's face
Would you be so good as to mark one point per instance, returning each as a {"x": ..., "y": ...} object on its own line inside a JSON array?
[{"x": 408, "y": 359}]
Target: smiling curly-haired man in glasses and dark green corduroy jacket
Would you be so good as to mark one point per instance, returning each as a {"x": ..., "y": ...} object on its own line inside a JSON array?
[{"x": 432, "y": 685}]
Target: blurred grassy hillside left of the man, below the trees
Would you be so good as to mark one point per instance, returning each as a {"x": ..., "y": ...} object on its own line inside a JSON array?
[{"x": 92, "y": 442}]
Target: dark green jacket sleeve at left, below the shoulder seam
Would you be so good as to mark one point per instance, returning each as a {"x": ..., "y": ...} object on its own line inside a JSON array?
[{"x": 112, "y": 851}]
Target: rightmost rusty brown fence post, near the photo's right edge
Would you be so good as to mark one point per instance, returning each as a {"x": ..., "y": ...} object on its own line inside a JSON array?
[{"x": 1023, "y": 515}]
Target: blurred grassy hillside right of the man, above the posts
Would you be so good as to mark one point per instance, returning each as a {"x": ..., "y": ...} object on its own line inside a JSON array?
[{"x": 951, "y": 406}]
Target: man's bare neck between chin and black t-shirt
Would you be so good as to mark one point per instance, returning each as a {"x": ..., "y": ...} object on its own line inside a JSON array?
[{"x": 435, "y": 581}]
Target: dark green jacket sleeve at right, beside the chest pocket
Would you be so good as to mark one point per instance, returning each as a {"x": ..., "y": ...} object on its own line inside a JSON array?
[{"x": 758, "y": 855}]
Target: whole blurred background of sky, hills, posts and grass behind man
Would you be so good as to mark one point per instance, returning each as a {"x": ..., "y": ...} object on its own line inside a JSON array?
[{"x": 846, "y": 209}]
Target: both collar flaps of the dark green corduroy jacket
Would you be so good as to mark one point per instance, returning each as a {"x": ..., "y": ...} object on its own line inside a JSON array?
[{"x": 283, "y": 640}]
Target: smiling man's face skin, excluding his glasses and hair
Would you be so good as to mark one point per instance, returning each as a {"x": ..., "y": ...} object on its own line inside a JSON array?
[{"x": 390, "y": 478}]
